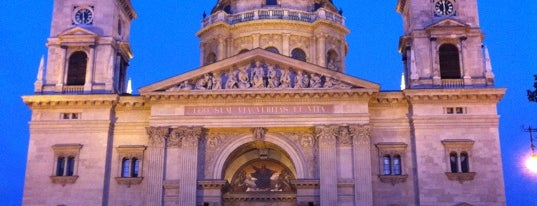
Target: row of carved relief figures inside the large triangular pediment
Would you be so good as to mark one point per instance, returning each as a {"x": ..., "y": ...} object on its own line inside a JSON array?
[{"x": 261, "y": 76}]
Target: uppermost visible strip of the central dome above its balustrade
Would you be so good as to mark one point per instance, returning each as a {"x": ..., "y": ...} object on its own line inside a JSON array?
[{"x": 237, "y": 6}]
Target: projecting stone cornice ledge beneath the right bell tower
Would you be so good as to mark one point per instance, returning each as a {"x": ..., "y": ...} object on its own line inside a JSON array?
[{"x": 427, "y": 96}]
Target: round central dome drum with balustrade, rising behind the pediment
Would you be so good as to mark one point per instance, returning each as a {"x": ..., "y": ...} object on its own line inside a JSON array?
[{"x": 308, "y": 30}]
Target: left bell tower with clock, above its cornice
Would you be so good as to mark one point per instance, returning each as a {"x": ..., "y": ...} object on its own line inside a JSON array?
[{"x": 88, "y": 48}]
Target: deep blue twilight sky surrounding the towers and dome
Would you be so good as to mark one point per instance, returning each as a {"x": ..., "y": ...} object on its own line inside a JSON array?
[{"x": 164, "y": 44}]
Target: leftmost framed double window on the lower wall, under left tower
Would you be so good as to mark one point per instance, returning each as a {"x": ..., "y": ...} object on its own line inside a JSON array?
[{"x": 65, "y": 163}]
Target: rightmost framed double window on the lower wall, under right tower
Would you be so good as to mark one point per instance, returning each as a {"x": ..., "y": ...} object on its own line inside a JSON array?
[{"x": 455, "y": 150}]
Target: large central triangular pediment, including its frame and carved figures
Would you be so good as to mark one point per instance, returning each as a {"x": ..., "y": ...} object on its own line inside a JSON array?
[{"x": 259, "y": 70}]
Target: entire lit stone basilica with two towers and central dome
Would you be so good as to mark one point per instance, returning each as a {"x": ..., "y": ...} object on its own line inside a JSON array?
[{"x": 270, "y": 117}]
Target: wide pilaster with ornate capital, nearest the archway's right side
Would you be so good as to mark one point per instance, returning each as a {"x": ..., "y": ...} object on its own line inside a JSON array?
[{"x": 327, "y": 164}]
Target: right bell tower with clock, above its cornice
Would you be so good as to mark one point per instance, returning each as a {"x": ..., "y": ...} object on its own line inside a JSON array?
[{"x": 442, "y": 45}]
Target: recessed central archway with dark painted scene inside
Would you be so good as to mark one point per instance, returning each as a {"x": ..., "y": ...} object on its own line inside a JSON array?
[{"x": 259, "y": 173}]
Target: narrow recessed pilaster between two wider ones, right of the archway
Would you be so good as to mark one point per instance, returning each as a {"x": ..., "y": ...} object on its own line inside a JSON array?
[{"x": 346, "y": 164}]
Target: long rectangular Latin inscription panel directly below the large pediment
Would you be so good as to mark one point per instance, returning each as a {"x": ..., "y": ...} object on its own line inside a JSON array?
[{"x": 258, "y": 110}]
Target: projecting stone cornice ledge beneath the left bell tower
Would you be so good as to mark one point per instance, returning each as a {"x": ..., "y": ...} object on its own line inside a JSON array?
[{"x": 70, "y": 100}]
